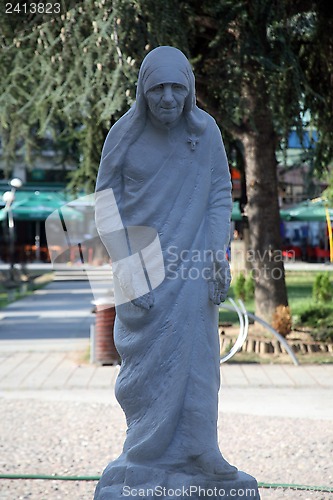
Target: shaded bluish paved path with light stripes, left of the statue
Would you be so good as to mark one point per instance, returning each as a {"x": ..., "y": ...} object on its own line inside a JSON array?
[{"x": 62, "y": 310}]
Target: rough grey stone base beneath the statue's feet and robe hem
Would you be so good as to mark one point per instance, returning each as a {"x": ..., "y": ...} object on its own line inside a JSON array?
[{"x": 137, "y": 481}]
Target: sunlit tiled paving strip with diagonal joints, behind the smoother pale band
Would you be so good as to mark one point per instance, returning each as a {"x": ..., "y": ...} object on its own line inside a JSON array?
[{"x": 35, "y": 368}]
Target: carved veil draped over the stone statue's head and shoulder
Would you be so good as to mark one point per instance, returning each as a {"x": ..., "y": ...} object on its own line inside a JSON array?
[{"x": 162, "y": 65}]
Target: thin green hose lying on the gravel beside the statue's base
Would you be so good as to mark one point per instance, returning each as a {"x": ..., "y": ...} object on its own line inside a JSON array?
[{"x": 324, "y": 489}]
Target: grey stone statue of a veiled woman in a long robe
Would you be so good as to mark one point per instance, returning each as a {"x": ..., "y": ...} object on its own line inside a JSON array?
[{"x": 164, "y": 163}]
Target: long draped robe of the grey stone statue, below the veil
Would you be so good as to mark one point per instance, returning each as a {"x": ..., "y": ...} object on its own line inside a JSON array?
[{"x": 168, "y": 384}]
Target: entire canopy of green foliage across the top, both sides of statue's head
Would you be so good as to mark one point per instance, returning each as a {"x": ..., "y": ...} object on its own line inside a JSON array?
[{"x": 80, "y": 68}]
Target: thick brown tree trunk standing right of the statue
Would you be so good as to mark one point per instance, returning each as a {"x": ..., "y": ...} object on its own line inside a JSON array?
[{"x": 262, "y": 207}]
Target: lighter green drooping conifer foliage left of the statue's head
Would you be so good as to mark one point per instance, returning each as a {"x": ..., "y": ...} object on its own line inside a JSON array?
[{"x": 78, "y": 69}]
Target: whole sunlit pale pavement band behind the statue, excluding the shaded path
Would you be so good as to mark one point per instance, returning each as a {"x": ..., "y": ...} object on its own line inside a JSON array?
[{"x": 263, "y": 390}]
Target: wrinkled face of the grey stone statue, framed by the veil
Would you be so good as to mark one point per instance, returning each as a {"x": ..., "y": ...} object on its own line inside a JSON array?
[{"x": 166, "y": 102}]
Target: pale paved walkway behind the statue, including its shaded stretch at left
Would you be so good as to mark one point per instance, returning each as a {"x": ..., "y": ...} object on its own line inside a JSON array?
[{"x": 43, "y": 339}]
